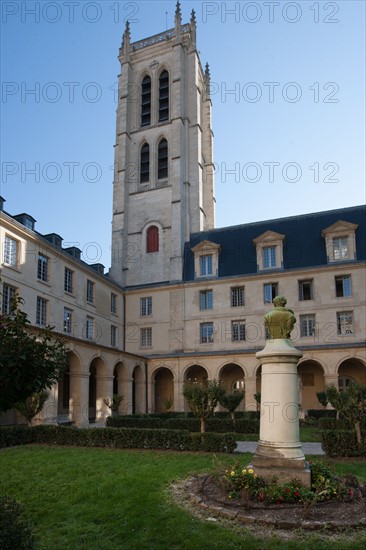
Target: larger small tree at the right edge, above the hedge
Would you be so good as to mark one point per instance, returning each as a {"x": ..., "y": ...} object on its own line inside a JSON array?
[{"x": 350, "y": 404}]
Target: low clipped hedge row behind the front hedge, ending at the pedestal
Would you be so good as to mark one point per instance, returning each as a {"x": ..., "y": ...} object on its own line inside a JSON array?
[{"x": 217, "y": 425}]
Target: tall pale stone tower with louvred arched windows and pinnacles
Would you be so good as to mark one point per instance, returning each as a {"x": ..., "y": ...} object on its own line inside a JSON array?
[{"x": 163, "y": 173}]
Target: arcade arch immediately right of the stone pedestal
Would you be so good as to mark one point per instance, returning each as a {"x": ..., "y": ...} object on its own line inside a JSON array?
[{"x": 311, "y": 380}]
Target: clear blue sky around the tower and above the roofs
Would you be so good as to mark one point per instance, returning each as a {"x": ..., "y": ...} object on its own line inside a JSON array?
[{"x": 288, "y": 88}]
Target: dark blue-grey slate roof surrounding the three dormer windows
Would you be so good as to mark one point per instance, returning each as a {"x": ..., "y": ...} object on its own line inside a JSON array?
[{"x": 303, "y": 246}]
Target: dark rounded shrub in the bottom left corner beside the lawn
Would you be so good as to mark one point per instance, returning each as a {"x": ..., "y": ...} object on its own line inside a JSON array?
[{"x": 15, "y": 530}]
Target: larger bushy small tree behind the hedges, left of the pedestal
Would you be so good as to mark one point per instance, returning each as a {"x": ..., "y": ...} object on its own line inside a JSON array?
[{"x": 203, "y": 399}]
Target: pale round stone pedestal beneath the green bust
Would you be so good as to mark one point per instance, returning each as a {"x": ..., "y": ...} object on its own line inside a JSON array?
[{"x": 279, "y": 451}]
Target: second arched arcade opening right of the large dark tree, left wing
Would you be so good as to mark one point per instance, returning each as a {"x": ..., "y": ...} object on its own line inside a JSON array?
[{"x": 97, "y": 389}]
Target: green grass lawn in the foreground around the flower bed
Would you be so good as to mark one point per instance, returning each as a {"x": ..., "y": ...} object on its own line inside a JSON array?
[{"x": 96, "y": 499}]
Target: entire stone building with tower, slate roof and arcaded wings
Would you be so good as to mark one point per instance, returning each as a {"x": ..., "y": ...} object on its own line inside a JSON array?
[{"x": 183, "y": 300}]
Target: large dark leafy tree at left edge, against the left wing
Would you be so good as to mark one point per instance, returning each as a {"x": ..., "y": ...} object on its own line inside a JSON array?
[{"x": 30, "y": 361}]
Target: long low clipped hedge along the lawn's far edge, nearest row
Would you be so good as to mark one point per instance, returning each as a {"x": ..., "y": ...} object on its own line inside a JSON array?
[{"x": 119, "y": 438}]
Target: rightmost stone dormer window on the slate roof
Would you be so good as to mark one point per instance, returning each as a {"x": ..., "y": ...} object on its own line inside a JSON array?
[{"x": 340, "y": 241}]
